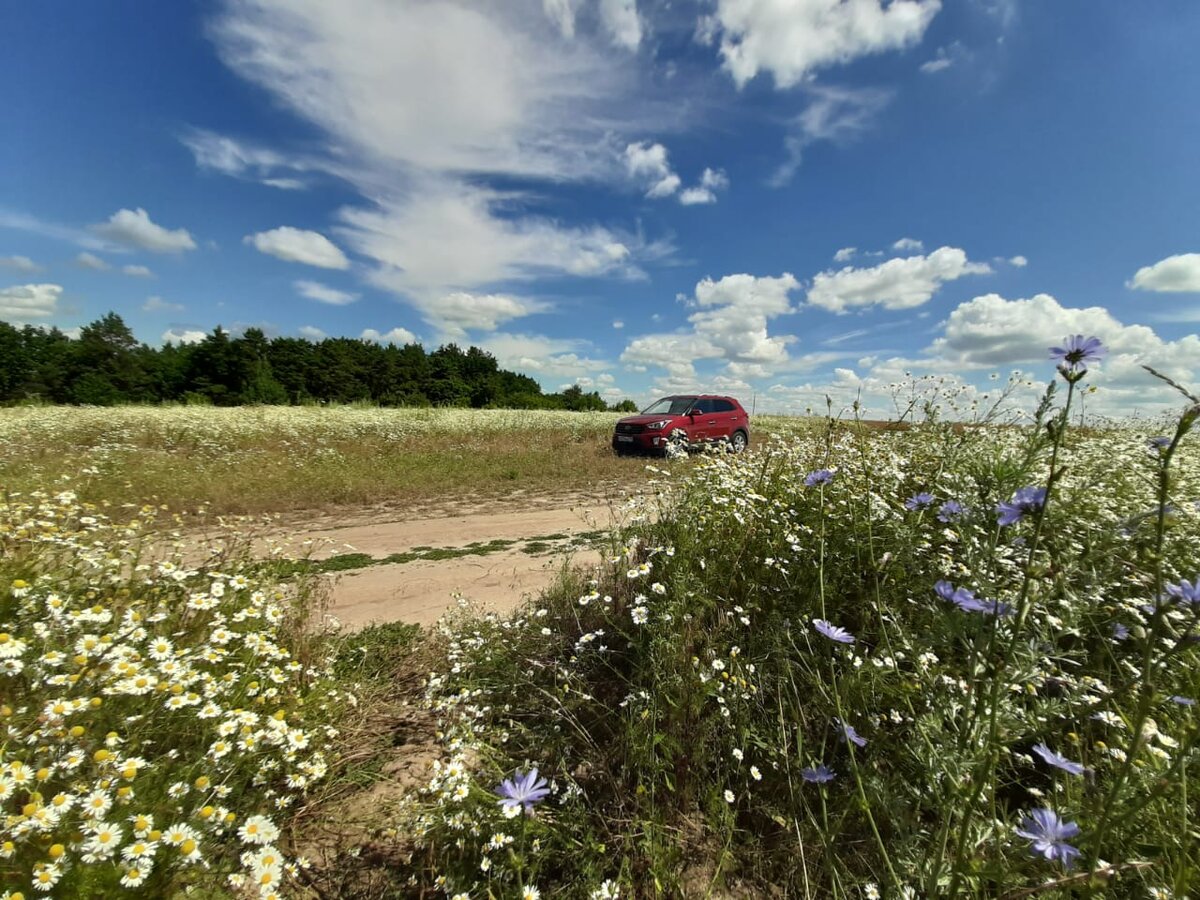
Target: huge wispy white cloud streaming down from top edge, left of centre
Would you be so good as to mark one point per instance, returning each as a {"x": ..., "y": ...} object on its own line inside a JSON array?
[{"x": 419, "y": 130}]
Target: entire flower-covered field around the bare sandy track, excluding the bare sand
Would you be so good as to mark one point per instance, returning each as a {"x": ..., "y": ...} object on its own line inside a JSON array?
[{"x": 934, "y": 662}]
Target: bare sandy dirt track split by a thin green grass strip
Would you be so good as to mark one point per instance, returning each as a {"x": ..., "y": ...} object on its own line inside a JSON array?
[{"x": 423, "y": 590}]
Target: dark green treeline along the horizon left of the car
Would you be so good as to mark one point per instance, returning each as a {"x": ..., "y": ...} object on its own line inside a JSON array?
[{"x": 106, "y": 365}]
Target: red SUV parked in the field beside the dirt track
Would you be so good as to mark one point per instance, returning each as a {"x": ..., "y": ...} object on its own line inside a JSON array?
[{"x": 692, "y": 421}]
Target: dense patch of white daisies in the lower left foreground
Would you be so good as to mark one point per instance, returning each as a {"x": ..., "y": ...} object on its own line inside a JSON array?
[{"x": 155, "y": 719}]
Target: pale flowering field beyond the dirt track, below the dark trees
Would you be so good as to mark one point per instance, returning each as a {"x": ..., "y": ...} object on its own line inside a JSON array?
[{"x": 277, "y": 459}]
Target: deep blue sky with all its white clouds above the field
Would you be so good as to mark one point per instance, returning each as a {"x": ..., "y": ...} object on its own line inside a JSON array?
[{"x": 783, "y": 200}]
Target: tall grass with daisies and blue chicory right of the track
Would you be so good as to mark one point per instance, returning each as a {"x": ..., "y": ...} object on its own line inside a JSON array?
[{"x": 929, "y": 663}]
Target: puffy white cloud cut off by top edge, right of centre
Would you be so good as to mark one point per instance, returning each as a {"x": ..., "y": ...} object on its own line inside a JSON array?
[{"x": 793, "y": 39}]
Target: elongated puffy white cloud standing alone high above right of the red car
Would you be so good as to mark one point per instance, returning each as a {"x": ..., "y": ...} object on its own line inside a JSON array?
[{"x": 898, "y": 284}]
